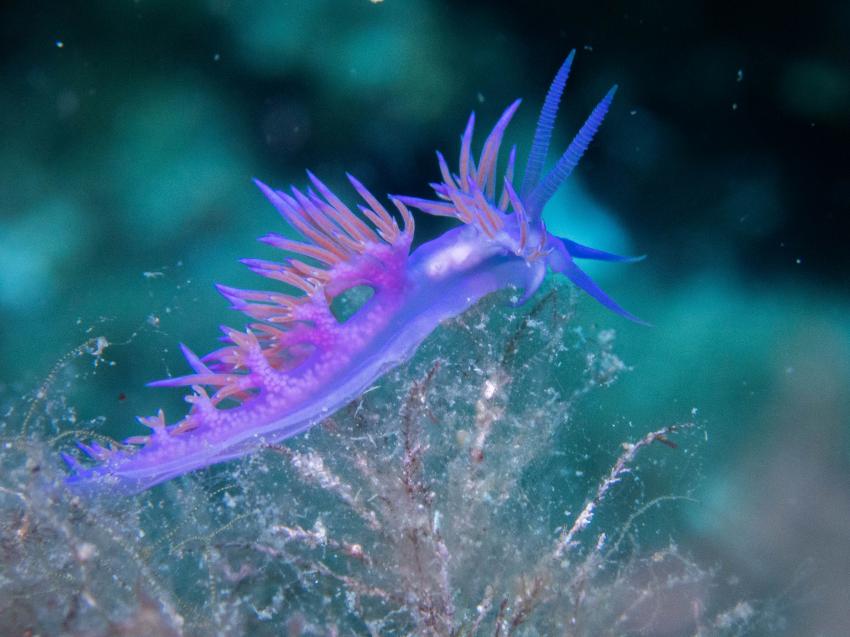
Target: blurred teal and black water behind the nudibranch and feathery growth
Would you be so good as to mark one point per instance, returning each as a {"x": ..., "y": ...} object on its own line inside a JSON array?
[{"x": 131, "y": 130}]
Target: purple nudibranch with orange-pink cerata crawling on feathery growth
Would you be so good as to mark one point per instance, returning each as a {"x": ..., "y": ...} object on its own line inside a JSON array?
[{"x": 298, "y": 363}]
